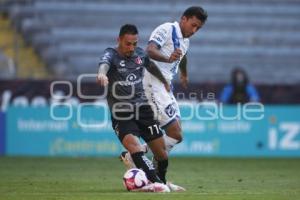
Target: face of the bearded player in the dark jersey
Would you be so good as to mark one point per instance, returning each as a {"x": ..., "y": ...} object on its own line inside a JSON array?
[{"x": 127, "y": 44}]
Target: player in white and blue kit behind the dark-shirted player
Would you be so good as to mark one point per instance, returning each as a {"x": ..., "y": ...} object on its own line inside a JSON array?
[{"x": 167, "y": 48}]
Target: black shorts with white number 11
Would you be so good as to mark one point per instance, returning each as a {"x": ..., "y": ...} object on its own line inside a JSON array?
[{"x": 140, "y": 123}]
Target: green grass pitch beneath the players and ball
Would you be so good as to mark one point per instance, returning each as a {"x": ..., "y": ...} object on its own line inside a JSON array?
[{"x": 101, "y": 178}]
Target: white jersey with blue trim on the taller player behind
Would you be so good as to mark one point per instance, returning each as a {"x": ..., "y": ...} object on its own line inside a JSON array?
[{"x": 168, "y": 37}]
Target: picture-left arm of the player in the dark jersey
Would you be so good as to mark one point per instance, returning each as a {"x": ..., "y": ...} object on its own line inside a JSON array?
[{"x": 104, "y": 66}]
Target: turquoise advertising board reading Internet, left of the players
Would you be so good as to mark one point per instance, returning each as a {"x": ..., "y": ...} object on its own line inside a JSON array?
[{"x": 59, "y": 132}]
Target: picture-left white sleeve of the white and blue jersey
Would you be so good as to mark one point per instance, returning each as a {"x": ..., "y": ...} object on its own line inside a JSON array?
[{"x": 160, "y": 35}]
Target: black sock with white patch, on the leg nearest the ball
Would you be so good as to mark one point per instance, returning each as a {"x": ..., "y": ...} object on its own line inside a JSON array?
[{"x": 142, "y": 162}]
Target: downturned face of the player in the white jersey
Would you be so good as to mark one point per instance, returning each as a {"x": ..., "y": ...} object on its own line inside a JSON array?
[{"x": 190, "y": 25}]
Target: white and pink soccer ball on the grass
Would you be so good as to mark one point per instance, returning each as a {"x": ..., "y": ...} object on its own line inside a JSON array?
[{"x": 134, "y": 178}]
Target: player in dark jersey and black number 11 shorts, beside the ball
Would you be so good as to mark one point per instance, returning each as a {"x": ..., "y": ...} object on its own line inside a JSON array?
[{"x": 122, "y": 69}]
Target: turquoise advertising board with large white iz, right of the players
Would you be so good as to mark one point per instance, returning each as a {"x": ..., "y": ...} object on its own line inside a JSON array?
[{"x": 273, "y": 131}]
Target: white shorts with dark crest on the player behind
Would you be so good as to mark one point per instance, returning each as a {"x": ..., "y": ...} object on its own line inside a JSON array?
[{"x": 163, "y": 103}]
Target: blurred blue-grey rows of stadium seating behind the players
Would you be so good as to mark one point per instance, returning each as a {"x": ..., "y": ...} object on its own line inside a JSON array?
[{"x": 263, "y": 36}]
